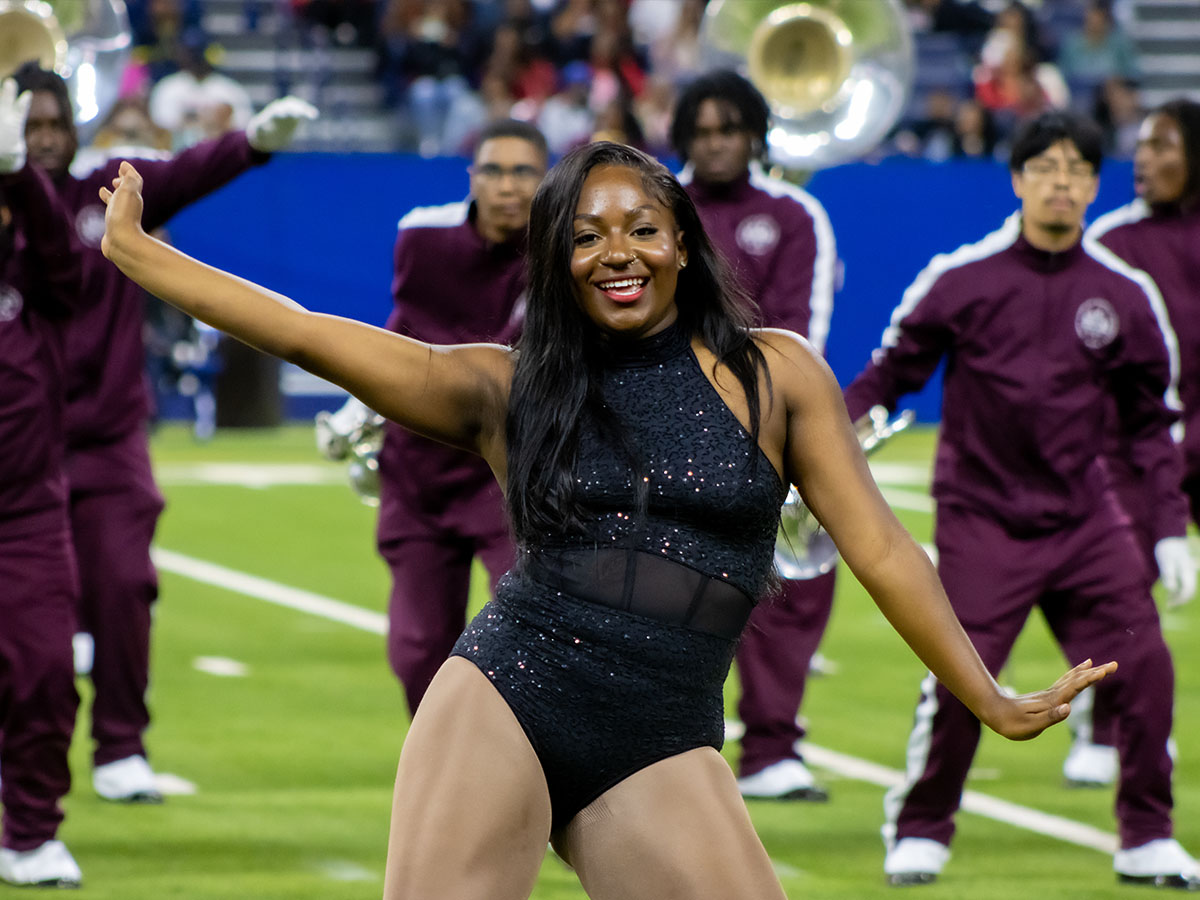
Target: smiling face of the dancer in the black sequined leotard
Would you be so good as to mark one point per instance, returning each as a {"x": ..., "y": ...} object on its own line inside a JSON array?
[{"x": 627, "y": 256}]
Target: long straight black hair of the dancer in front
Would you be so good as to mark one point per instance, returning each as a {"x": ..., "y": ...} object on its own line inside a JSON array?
[{"x": 561, "y": 351}]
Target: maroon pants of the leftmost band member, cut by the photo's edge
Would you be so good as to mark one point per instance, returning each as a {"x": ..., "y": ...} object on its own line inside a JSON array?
[{"x": 38, "y": 693}]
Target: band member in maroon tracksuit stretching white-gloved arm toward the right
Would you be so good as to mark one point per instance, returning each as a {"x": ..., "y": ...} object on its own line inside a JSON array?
[{"x": 115, "y": 501}]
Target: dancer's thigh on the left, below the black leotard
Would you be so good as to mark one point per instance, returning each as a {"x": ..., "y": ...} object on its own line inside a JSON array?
[{"x": 471, "y": 813}]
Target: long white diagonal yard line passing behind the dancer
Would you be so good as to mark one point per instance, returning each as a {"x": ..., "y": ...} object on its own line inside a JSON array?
[{"x": 848, "y": 766}]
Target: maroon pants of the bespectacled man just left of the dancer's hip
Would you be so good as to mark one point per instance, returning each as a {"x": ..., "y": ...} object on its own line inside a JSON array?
[{"x": 428, "y": 608}]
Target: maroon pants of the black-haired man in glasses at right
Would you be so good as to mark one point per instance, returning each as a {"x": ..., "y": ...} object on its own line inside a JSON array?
[{"x": 1091, "y": 586}]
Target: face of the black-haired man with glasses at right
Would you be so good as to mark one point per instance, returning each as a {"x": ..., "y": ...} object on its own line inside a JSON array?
[{"x": 1055, "y": 189}]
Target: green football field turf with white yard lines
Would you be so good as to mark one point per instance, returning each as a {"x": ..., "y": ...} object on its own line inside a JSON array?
[{"x": 274, "y": 704}]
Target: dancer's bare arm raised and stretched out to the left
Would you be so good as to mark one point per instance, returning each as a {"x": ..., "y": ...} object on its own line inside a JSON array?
[{"x": 453, "y": 394}]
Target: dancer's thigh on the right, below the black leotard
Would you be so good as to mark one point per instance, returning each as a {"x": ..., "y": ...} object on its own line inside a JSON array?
[{"x": 676, "y": 831}]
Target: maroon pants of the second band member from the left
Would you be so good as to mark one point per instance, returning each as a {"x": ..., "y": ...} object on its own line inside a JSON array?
[{"x": 115, "y": 509}]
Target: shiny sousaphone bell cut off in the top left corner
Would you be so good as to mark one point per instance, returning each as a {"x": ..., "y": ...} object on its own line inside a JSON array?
[{"x": 86, "y": 41}]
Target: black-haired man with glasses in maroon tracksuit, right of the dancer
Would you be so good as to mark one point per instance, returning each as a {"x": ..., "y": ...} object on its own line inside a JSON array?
[{"x": 1041, "y": 331}]
